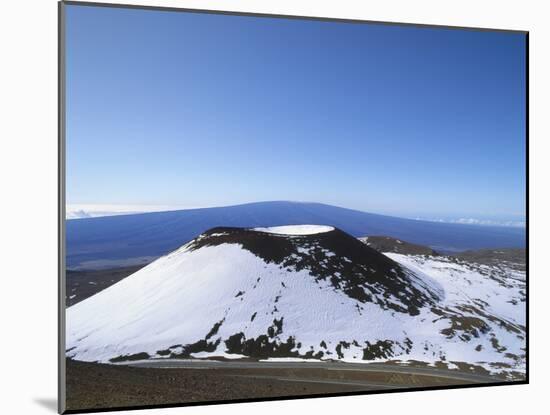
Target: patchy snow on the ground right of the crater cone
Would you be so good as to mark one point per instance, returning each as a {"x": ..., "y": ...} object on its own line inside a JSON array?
[{"x": 465, "y": 285}]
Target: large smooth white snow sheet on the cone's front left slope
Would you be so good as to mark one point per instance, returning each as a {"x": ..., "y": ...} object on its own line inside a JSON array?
[{"x": 153, "y": 309}]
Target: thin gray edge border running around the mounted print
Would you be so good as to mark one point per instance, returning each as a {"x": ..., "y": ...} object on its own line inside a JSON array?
[{"x": 62, "y": 201}]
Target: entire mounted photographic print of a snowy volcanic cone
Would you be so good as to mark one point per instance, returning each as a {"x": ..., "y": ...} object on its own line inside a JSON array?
[{"x": 256, "y": 207}]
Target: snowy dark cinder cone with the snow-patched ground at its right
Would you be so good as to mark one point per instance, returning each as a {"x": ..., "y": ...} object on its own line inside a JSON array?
[{"x": 304, "y": 292}]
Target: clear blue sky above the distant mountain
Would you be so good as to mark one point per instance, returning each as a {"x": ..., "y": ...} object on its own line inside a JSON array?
[{"x": 189, "y": 109}]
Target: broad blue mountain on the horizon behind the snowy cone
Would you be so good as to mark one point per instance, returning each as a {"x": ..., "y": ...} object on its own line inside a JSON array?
[{"x": 115, "y": 241}]
